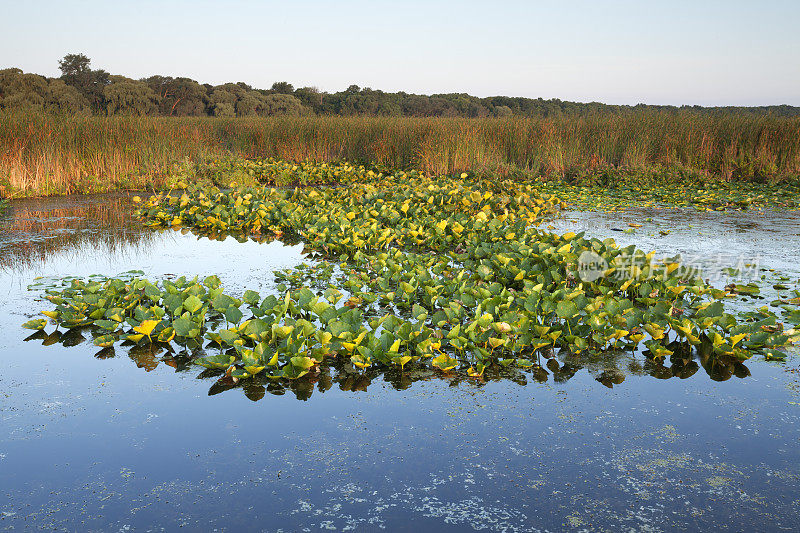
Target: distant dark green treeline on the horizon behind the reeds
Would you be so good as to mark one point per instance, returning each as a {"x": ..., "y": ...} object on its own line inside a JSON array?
[{"x": 83, "y": 90}]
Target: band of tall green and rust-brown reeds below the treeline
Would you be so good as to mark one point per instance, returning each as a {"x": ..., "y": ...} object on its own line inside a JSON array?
[{"x": 44, "y": 154}]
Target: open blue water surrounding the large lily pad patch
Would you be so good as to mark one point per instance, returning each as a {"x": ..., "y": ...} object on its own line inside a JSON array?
[{"x": 92, "y": 443}]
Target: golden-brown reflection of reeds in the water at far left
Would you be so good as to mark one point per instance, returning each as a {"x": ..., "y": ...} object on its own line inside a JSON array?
[{"x": 32, "y": 230}]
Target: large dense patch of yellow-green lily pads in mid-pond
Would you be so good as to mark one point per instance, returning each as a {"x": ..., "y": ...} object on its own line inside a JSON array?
[{"x": 450, "y": 273}]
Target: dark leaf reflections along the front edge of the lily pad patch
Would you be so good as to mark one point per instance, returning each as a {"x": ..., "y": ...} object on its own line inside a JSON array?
[{"x": 609, "y": 368}]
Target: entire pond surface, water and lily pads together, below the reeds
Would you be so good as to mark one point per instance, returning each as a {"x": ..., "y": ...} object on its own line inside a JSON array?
[{"x": 459, "y": 368}]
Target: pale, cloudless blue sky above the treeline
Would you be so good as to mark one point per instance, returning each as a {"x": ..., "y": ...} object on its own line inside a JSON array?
[{"x": 678, "y": 52}]
